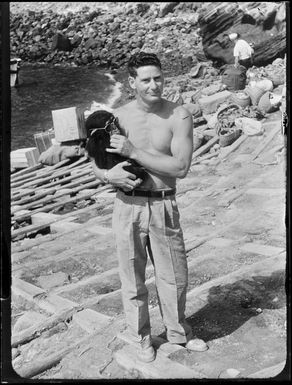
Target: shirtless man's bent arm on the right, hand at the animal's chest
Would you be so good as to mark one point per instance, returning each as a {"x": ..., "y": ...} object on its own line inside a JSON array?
[{"x": 175, "y": 165}]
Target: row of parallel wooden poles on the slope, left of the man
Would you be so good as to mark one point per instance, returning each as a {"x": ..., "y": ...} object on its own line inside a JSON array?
[{"x": 40, "y": 195}]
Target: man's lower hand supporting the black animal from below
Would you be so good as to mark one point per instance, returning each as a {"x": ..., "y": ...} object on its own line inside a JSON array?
[{"x": 121, "y": 178}]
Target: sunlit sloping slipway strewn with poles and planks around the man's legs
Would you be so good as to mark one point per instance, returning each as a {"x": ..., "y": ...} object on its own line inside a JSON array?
[{"x": 67, "y": 318}]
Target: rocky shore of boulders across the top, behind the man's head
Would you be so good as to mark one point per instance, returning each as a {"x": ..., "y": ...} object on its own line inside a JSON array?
[{"x": 106, "y": 34}]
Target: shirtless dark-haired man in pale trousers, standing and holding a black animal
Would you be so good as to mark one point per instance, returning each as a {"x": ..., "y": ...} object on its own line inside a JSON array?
[{"x": 159, "y": 136}]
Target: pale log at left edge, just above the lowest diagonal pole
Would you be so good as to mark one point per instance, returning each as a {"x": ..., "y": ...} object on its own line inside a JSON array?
[{"x": 36, "y": 330}]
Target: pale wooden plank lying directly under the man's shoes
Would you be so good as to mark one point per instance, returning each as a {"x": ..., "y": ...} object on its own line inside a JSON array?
[{"x": 161, "y": 368}]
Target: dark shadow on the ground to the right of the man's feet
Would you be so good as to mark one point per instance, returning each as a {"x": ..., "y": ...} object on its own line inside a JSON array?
[{"x": 230, "y": 306}]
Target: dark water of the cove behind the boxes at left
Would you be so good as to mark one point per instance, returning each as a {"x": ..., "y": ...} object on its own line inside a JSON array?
[{"x": 43, "y": 89}]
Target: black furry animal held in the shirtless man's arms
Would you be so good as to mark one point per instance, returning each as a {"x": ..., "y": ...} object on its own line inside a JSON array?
[{"x": 99, "y": 140}]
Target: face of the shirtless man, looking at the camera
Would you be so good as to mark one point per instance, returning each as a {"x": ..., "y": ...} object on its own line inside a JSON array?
[{"x": 148, "y": 83}]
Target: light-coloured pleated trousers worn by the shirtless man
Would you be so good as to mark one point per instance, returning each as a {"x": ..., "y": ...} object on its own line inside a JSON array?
[{"x": 144, "y": 224}]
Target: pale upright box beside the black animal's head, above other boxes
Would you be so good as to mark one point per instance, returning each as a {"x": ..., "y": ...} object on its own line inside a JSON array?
[{"x": 69, "y": 124}]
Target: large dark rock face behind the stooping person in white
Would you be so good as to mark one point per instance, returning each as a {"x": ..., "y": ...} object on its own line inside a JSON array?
[{"x": 265, "y": 28}]
